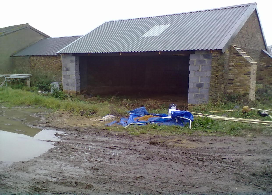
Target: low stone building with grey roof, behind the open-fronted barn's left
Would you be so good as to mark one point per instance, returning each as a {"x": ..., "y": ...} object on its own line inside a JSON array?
[{"x": 41, "y": 59}]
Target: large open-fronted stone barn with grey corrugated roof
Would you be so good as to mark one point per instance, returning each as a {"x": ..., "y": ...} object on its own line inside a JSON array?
[{"x": 196, "y": 56}]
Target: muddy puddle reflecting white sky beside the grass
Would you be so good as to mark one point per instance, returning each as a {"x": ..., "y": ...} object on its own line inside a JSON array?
[{"x": 18, "y": 140}]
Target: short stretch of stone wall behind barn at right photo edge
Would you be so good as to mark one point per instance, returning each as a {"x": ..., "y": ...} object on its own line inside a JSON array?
[{"x": 264, "y": 73}]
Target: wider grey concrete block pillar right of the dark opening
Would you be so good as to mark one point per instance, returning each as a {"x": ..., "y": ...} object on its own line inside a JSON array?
[{"x": 199, "y": 77}]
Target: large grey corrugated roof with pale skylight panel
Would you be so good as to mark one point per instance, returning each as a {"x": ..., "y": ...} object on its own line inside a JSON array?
[{"x": 199, "y": 30}]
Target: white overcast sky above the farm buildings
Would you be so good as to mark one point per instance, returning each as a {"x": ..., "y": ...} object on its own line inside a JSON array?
[{"x": 58, "y": 18}]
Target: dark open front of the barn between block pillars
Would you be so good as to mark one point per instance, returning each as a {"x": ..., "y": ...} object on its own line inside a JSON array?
[{"x": 135, "y": 75}]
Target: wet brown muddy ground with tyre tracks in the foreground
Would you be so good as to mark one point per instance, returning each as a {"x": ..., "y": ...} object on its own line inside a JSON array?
[{"x": 92, "y": 161}]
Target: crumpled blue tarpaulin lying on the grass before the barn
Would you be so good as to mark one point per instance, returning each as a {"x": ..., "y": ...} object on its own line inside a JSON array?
[{"x": 140, "y": 116}]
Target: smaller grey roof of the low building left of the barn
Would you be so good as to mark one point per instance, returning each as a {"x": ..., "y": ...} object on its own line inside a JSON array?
[{"x": 46, "y": 47}]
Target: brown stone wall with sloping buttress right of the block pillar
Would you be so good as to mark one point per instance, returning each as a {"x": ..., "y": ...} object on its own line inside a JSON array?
[{"x": 231, "y": 75}]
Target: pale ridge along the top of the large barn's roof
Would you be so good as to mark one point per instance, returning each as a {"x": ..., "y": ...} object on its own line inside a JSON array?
[{"x": 189, "y": 12}]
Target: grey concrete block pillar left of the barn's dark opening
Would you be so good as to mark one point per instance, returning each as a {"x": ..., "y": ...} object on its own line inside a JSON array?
[{"x": 70, "y": 74}]
